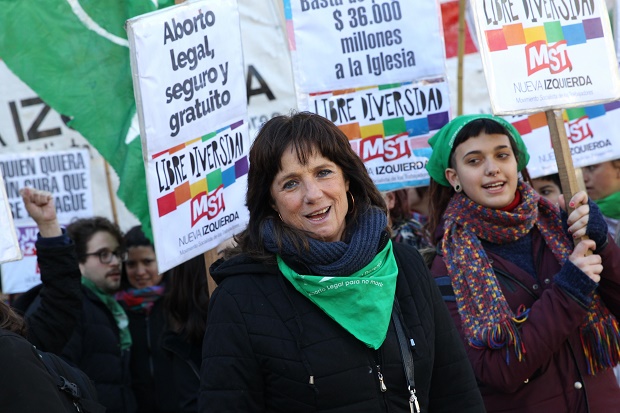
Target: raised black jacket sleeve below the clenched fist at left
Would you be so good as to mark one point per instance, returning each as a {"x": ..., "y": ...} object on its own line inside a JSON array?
[{"x": 58, "y": 297}]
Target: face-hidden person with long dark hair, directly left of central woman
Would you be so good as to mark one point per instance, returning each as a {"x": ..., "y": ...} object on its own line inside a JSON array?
[{"x": 185, "y": 303}]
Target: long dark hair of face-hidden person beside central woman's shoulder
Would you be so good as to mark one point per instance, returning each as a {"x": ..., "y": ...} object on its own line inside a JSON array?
[{"x": 187, "y": 298}]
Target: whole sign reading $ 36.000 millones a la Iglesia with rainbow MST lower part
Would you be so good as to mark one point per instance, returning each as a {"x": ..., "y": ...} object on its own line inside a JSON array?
[{"x": 376, "y": 75}]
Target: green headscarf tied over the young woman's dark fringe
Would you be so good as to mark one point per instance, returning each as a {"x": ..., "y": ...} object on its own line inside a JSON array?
[{"x": 443, "y": 141}]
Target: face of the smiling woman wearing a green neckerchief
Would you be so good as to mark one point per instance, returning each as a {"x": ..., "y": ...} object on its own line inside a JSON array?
[{"x": 311, "y": 197}]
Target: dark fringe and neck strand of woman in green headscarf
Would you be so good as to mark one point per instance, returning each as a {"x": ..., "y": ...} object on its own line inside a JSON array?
[{"x": 440, "y": 195}]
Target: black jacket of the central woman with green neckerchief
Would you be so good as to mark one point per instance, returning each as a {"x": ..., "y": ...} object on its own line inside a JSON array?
[{"x": 269, "y": 349}]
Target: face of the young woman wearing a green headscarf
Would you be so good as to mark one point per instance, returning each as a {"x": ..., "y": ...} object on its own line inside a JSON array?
[{"x": 486, "y": 168}]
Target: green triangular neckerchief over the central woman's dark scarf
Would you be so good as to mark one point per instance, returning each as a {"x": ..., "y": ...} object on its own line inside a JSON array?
[{"x": 361, "y": 302}]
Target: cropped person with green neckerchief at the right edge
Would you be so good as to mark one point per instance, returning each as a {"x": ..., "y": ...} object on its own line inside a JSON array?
[{"x": 603, "y": 185}]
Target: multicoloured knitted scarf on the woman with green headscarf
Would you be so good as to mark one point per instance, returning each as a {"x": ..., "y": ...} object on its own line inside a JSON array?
[{"x": 487, "y": 319}]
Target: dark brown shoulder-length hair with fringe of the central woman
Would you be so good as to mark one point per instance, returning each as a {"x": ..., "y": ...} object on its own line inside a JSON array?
[{"x": 306, "y": 133}]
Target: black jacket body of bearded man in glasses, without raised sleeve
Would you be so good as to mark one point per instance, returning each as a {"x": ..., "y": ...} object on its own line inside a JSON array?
[{"x": 95, "y": 349}]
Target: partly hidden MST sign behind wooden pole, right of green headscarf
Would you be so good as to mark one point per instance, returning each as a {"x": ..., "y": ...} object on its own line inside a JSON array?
[{"x": 590, "y": 132}]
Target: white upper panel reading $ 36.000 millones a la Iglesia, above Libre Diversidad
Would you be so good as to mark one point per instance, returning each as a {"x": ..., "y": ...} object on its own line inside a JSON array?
[{"x": 338, "y": 44}]
